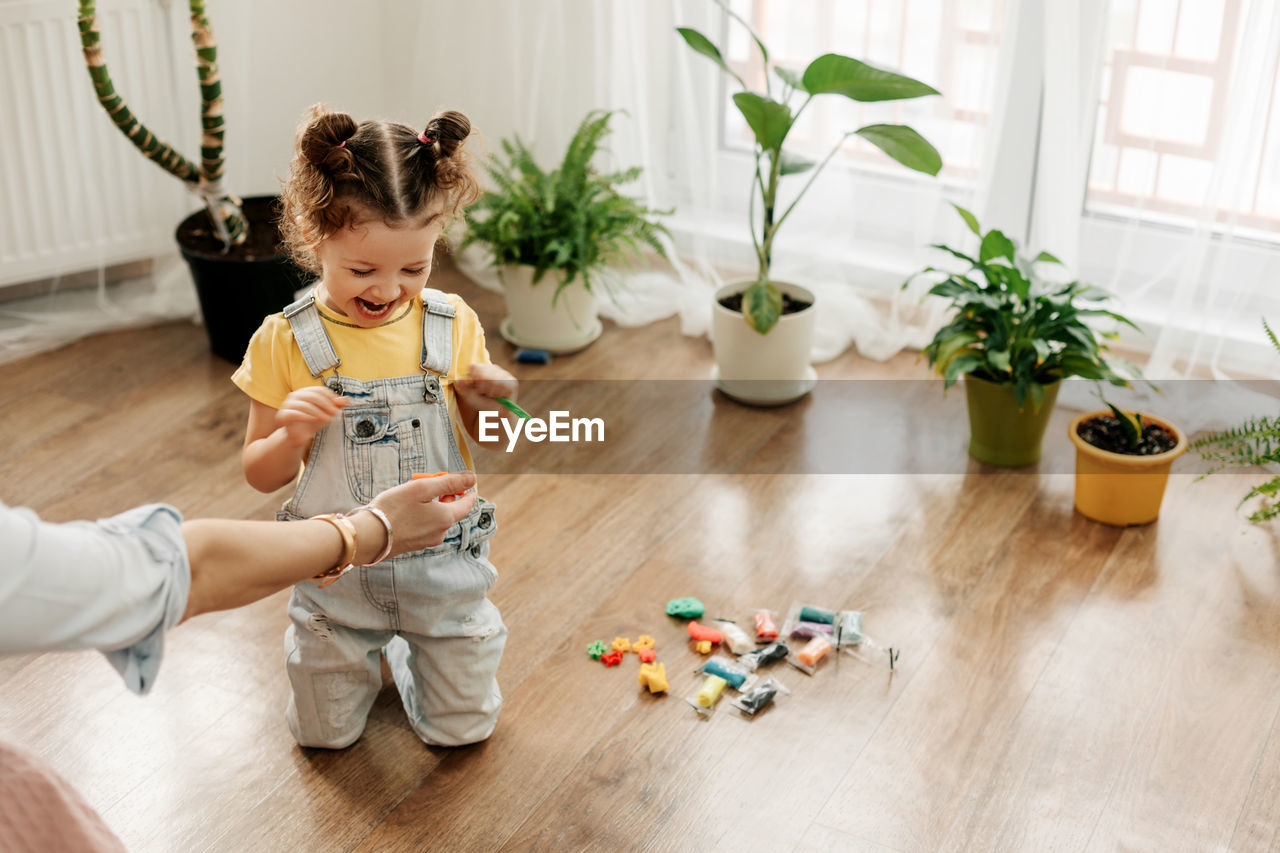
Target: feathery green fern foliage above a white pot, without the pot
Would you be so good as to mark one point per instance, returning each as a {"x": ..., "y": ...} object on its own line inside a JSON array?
[{"x": 572, "y": 221}]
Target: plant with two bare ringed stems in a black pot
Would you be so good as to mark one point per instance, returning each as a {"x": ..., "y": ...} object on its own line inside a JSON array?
[{"x": 232, "y": 248}]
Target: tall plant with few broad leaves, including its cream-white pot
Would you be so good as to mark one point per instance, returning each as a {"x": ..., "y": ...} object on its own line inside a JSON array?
[{"x": 764, "y": 330}]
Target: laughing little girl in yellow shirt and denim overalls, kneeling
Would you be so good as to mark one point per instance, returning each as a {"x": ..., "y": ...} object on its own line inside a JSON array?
[{"x": 369, "y": 380}]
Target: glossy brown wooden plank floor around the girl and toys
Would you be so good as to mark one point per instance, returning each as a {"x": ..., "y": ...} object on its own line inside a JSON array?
[{"x": 1062, "y": 685}]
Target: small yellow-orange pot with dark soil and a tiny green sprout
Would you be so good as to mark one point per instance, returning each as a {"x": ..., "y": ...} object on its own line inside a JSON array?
[{"x": 1122, "y": 464}]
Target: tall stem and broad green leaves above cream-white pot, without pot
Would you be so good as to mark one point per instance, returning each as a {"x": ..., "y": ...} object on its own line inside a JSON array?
[{"x": 774, "y": 113}]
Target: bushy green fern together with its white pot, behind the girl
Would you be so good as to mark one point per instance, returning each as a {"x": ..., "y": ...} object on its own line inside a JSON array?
[{"x": 554, "y": 235}]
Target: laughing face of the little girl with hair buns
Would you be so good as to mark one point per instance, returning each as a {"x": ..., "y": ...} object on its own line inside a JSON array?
[{"x": 371, "y": 271}]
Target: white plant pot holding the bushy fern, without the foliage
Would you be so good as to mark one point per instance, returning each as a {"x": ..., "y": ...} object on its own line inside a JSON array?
[{"x": 533, "y": 322}]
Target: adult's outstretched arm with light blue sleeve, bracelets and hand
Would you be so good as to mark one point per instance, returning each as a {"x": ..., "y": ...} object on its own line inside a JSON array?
[{"x": 120, "y": 583}]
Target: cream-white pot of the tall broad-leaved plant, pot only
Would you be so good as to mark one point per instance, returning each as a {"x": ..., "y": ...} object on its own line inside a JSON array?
[{"x": 764, "y": 370}]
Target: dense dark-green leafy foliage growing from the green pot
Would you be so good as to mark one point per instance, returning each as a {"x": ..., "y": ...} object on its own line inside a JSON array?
[{"x": 1014, "y": 329}]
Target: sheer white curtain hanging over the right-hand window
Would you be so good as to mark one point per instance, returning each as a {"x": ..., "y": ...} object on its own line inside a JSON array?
[{"x": 1197, "y": 280}]
